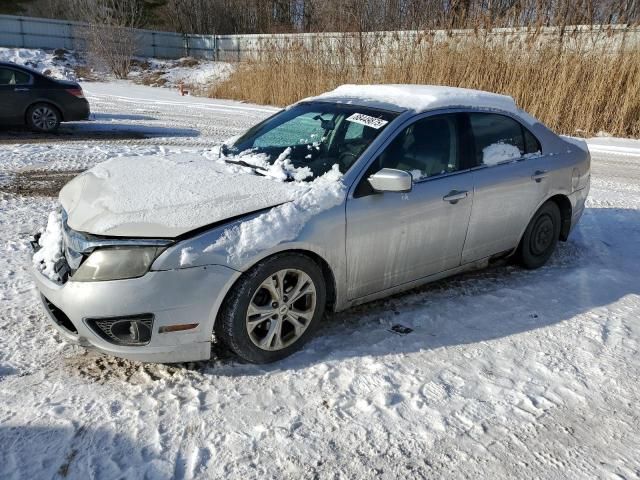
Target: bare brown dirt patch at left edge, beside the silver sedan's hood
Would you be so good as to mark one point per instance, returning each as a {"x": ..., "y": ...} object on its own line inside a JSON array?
[{"x": 38, "y": 183}]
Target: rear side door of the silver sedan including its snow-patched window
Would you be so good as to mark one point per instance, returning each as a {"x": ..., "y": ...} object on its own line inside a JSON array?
[{"x": 509, "y": 182}]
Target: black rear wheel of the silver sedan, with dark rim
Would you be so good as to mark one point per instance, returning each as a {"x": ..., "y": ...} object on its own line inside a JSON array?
[{"x": 541, "y": 236}]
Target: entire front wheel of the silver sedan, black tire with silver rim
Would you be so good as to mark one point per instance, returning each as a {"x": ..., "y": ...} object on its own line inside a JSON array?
[{"x": 261, "y": 326}]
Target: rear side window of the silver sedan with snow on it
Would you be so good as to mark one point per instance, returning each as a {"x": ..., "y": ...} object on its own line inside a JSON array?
[{"x": 499, "y": 138}]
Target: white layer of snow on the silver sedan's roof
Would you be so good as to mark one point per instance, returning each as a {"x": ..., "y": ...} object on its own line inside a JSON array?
[{"x": 417, "y": 98}]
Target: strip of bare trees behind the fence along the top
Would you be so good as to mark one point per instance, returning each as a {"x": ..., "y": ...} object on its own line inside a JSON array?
[{"x": 271, "y": 16}]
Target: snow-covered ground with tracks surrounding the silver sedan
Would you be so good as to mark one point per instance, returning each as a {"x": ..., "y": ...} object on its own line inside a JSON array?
[{"x": 507, "y": 373}]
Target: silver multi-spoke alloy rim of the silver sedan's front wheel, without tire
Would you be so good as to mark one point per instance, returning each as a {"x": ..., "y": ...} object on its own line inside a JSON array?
[{"x": 281, "y": 309}]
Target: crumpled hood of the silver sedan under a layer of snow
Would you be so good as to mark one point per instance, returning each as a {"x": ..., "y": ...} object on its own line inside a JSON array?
[{"x": 166, "y": 196}]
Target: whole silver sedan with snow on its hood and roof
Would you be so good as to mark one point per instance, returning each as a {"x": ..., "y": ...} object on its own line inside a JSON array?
[{"x": 335, "y": 201}]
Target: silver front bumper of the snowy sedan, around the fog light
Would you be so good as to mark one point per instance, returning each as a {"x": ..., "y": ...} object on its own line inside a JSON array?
[{"x": 173, "y": 297}]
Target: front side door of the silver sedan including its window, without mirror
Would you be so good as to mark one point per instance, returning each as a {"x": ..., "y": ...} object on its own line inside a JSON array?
[{"x": 394, "y": 238}]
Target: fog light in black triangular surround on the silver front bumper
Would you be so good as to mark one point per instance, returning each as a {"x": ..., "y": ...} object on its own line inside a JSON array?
[{"x": 133, "y": 330}]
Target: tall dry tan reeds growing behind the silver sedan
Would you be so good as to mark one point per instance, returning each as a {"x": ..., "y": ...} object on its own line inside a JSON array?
[{"x": 574, "y": 91}]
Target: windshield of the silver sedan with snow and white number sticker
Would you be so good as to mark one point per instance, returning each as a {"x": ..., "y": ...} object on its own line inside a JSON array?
[{"x": 313, "y": 136}]
